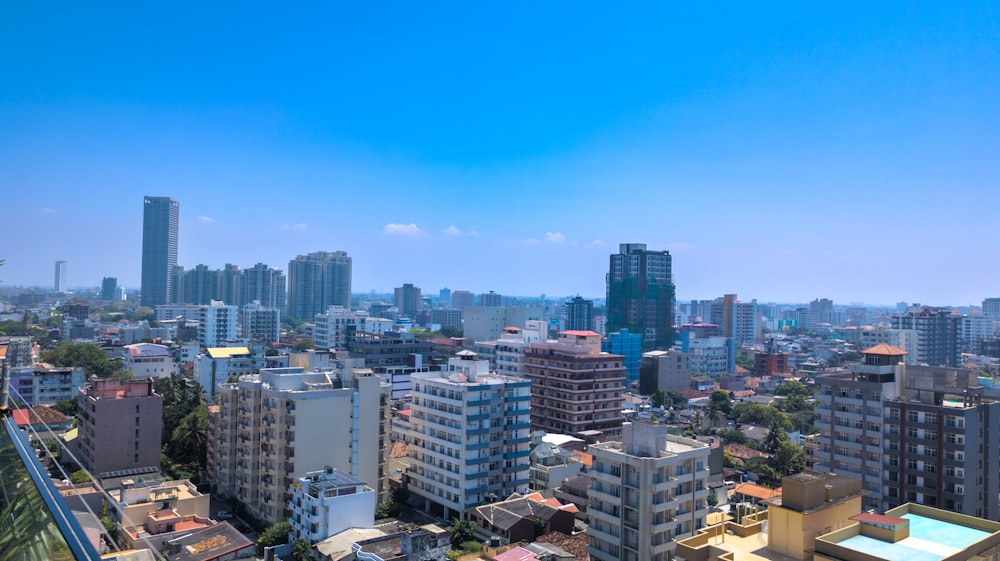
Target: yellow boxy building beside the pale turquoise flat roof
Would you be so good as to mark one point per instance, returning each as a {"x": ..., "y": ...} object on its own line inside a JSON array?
[{"x": 811, "y": 505}]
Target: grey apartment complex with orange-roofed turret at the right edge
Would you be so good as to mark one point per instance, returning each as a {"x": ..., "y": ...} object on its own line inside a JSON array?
[{"x": 919, "y": 434}]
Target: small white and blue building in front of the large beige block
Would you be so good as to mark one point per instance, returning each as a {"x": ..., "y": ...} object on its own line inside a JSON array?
[{"x": 327, "y": 502}]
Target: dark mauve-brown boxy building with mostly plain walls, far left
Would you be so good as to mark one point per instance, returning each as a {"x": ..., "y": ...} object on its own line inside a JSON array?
[{"x": 120, "y": 425}]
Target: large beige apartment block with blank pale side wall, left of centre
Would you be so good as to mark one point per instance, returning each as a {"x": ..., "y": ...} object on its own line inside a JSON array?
[{"x": 283, "y": 421}]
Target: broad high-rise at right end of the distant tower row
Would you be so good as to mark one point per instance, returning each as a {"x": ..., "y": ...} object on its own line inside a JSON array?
[{"x": 317, "y": 281}]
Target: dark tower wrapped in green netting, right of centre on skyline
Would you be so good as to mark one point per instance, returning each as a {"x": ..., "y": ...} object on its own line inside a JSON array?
[{"x": 641, "y": 294}]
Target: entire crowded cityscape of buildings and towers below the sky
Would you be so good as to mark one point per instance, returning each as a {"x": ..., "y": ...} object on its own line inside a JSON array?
[{"x": 266, "y": 413}]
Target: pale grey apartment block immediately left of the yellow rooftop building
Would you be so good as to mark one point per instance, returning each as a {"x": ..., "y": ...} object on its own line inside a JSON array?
[{"x": 649, "y": 490}]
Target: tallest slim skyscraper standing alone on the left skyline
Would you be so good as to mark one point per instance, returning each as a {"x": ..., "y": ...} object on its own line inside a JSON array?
[{"x": 160, "y": 217}]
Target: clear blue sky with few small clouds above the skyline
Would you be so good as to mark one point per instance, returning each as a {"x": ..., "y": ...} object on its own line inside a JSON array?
[{"x": 785, "y": 152}]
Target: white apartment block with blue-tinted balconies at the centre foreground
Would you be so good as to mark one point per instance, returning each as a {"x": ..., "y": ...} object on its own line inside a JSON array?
[{"x": 470, "y": 437}]
